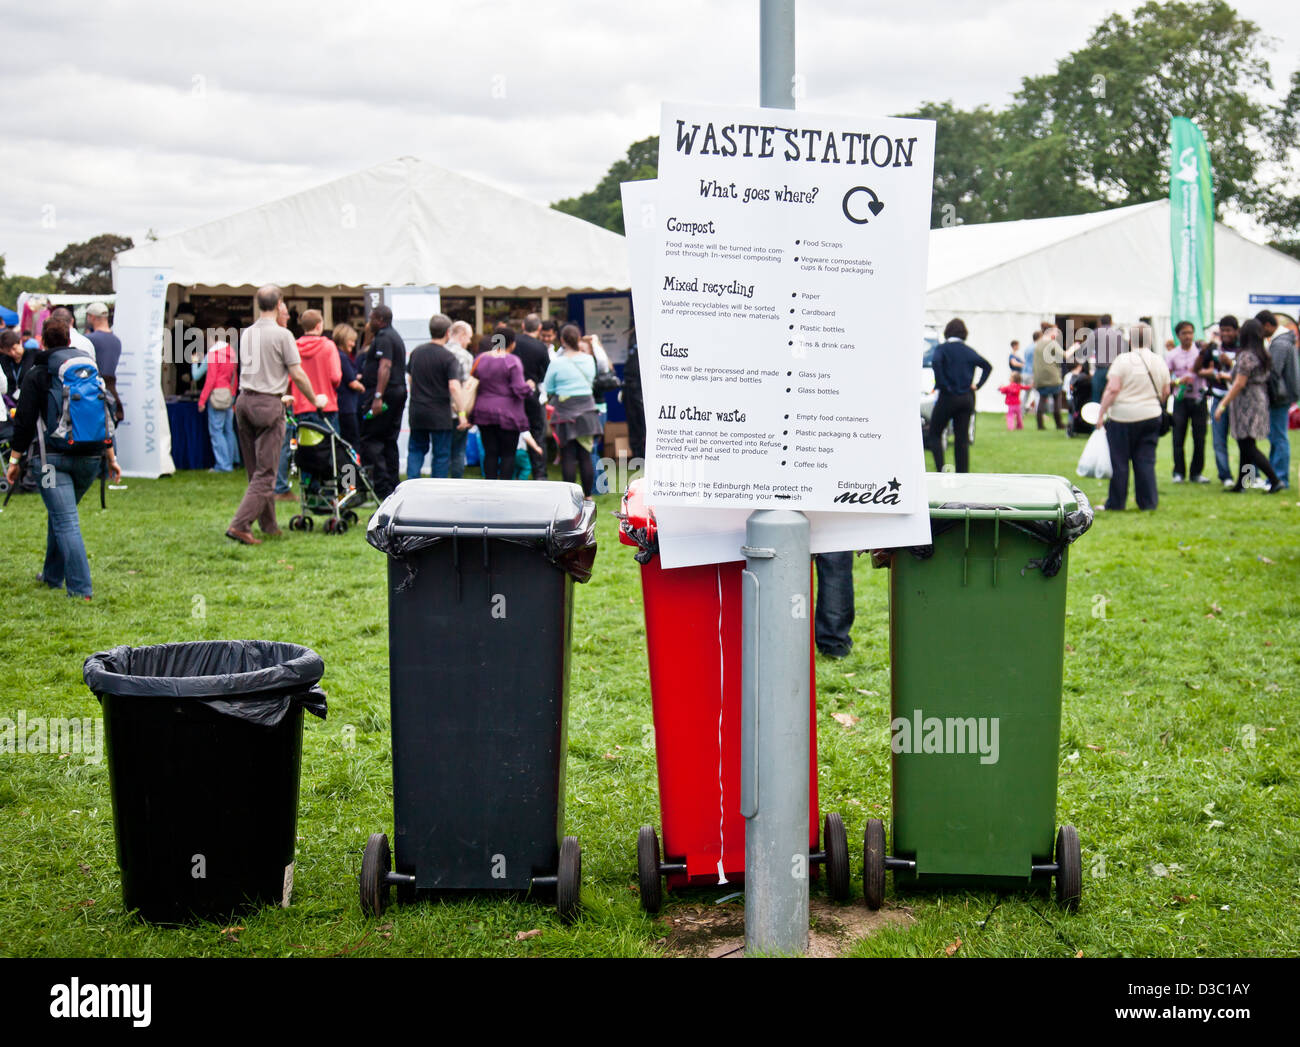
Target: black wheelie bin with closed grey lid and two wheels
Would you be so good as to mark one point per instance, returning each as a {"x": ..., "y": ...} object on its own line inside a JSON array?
[{"x": 480, "y": 611}]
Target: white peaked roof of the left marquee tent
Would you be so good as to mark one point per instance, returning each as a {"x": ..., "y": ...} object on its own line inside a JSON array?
[{"x": 401, "y": 223}]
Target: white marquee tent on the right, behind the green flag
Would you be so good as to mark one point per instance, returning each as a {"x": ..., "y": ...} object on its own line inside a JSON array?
[{"x": 1003, "y": 279}]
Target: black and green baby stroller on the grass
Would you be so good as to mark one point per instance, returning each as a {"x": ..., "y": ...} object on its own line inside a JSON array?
[{"x": 331, "y": 479}]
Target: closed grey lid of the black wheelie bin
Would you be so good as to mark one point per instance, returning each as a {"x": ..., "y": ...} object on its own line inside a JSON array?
[{"x": 500, "y": 508}]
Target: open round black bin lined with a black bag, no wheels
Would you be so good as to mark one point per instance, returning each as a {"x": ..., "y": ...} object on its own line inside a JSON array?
[{"x": 205, "y": 749}]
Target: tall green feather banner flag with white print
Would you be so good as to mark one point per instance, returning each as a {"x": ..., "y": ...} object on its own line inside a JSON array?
[{"x": 1191, "y": 198}]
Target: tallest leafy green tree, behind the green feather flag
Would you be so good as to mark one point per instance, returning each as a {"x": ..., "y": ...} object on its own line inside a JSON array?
[{"x": 1102, "y": 120}]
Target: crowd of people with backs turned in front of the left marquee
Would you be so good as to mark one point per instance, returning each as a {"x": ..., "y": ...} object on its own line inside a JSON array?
[{"x": 519, "y": 391}]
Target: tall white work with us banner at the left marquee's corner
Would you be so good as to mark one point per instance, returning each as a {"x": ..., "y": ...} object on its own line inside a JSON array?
[{"x": 145, "y": 438}]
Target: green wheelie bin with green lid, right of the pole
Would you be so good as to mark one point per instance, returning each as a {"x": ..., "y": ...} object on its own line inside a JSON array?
[{"x": 977, "y": 648}]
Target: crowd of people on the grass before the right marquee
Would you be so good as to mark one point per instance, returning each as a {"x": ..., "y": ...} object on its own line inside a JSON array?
[{"x": 1240, "y": 382}]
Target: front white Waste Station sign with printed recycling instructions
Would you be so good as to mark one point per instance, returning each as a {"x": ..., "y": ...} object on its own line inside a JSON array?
[{"x": 790, "y": 276}]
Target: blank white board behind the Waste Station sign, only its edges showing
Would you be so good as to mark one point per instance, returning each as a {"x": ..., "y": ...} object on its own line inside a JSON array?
[{"x": 692, "y": 537}]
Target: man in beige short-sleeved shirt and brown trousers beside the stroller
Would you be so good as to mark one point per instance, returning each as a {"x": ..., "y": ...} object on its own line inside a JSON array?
[{"x": 268, "y": 360}]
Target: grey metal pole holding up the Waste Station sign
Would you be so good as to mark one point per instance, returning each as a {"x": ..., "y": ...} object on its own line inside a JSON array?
[{"x": 775, "y": 655}]
